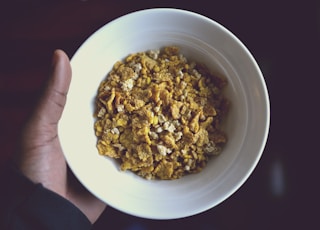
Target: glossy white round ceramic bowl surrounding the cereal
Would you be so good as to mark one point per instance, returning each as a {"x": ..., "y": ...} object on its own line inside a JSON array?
[{"x": 247, "y": 125}]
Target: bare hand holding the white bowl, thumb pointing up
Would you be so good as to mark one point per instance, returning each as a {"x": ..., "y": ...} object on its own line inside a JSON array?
[{"x": 41, "y": 158}]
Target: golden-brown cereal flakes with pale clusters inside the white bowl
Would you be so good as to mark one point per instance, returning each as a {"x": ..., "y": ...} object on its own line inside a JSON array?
[{"x": 160, "y": 114}]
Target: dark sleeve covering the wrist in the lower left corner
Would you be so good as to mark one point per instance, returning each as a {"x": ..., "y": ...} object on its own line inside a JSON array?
[{"x": 25, "y": 205}]
